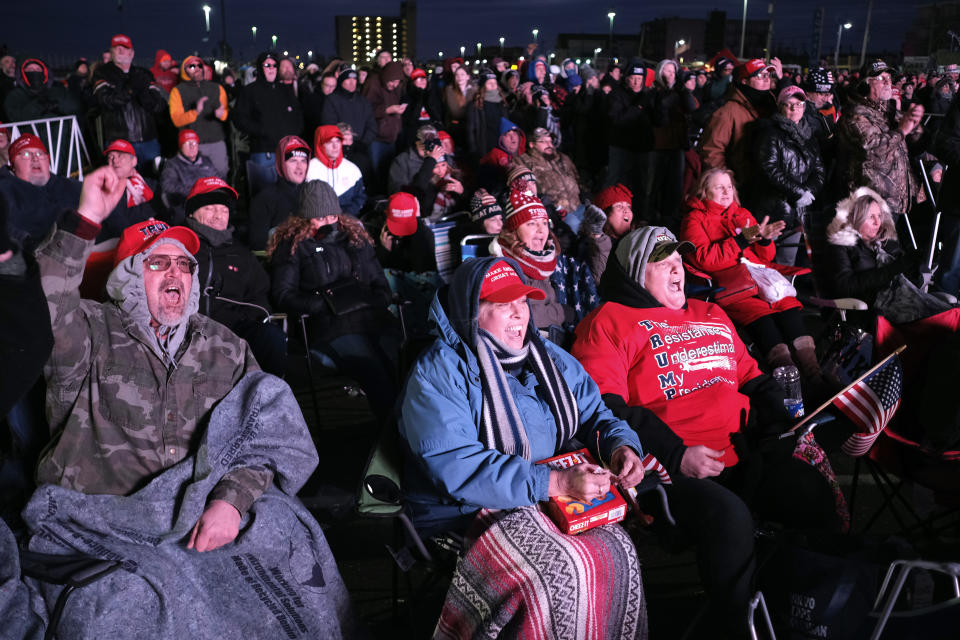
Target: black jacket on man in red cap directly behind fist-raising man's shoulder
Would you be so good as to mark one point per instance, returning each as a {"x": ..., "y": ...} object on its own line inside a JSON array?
[{"x": 227, "y": 271}]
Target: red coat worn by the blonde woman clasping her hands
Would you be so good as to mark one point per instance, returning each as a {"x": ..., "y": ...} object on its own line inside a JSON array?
[{"x": 715, "y": 232}]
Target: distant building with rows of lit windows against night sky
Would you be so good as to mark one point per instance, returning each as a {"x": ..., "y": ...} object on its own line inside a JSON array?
[{"x": 360, "y": 37}]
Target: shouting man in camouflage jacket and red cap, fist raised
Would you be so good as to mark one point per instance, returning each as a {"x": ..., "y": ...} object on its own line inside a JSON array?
[{"x": 131, "y": 382}]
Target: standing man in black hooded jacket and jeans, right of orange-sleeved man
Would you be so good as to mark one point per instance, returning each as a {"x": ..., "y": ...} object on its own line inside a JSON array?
[{"x": 267, "y": 110}]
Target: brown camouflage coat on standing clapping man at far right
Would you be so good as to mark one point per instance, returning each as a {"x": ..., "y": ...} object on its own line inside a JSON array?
[{"x": 874, "y": 153}]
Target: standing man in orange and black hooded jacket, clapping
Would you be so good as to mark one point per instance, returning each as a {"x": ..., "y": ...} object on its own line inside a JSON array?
[{"x": 201, "y": 106}]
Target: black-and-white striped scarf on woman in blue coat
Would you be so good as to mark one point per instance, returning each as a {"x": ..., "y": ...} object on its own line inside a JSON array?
[{"x": 501, "y": 426}]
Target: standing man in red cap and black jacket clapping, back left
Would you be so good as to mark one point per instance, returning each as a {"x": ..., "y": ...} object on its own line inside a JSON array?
[{"x": 130, "y": 100}]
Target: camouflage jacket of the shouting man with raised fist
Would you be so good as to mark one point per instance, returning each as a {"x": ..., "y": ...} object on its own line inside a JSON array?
[{"x": 118, "y": 414}]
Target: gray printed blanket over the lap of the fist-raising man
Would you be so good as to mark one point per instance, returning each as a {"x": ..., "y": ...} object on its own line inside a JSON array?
[{"x": 277, "y": 580}]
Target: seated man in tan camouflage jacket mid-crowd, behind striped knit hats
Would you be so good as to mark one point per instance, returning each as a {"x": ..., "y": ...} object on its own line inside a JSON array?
[{"x": 557, "y": 178}]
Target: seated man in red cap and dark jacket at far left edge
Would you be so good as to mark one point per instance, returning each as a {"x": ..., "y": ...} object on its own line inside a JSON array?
[{"x": 34, "y": 196}]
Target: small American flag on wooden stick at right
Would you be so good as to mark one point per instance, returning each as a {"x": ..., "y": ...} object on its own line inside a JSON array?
[{"x": 870, "y": 403}]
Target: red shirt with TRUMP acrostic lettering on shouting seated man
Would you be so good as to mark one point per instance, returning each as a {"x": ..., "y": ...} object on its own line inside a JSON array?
[{"x": 685, "y": 365}]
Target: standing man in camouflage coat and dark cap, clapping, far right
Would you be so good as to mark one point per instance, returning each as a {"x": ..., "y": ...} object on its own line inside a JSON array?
[{"x": 873, "y": 140}]
